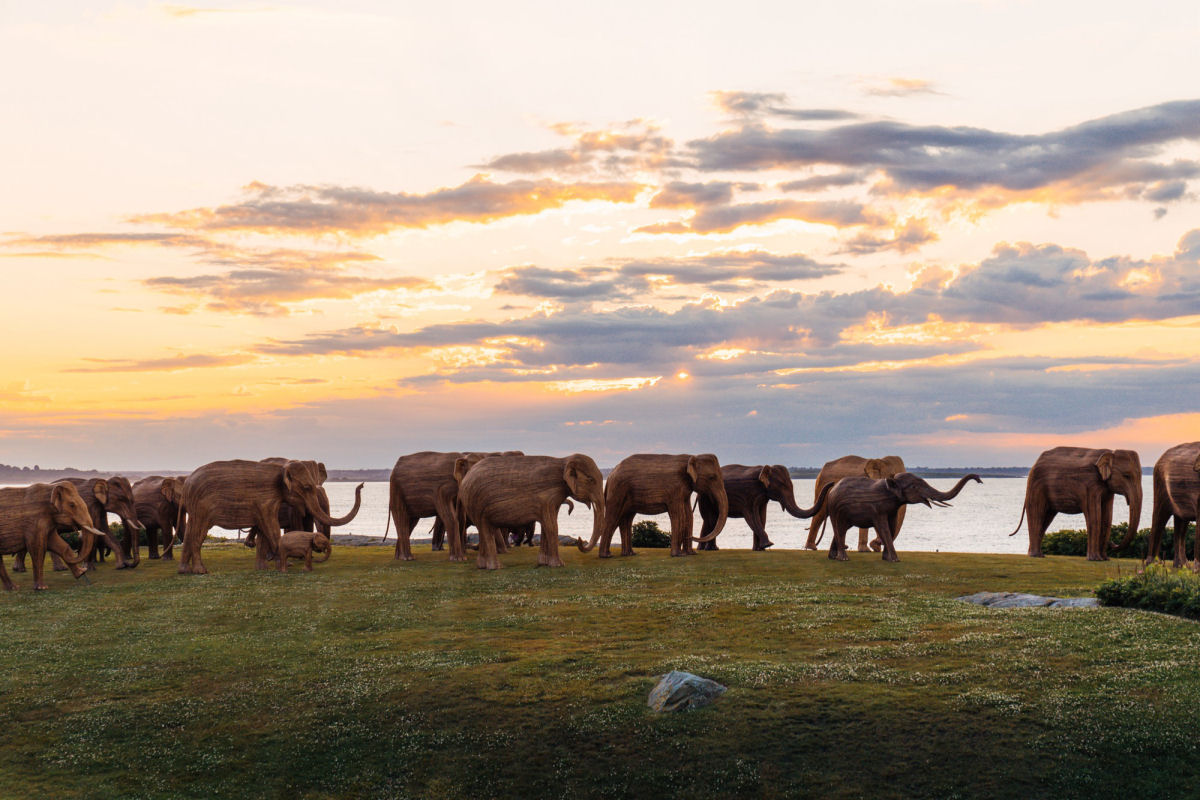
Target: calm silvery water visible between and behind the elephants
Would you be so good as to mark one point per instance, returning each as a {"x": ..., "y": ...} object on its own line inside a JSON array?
[{"x": 980, "y": 521}]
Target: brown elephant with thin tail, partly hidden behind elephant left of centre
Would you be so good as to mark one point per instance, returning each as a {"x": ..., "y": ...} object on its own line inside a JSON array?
[{"x": 424, "y": 485}]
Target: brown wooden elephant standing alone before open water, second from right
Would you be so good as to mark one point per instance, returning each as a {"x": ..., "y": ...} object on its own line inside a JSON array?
[{"x": 1082, "y": 480}]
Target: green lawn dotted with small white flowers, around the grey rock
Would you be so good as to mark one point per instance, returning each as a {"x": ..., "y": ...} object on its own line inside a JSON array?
[{"x": 370, "y": 678}]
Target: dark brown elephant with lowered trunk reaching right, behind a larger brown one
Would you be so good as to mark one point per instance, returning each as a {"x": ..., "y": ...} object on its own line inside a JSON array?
[{"x": 749, "y": 490}]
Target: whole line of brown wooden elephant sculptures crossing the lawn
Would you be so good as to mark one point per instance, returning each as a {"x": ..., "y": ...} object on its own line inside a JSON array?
[{"x": 505, "y": 495}]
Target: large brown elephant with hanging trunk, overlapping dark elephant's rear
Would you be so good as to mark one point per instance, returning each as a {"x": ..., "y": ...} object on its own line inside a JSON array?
[{"x": 653, "y": 484}]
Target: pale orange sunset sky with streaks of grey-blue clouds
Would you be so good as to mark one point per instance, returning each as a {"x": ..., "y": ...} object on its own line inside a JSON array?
[{"x": 961, "y": 232}]
